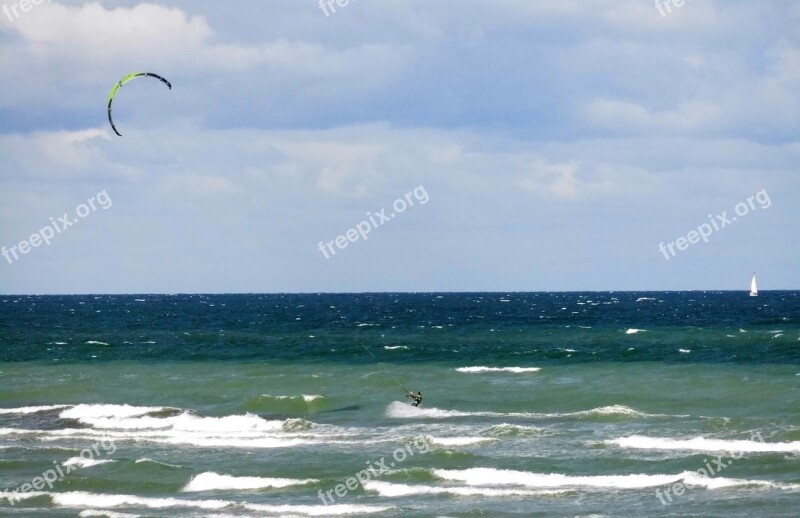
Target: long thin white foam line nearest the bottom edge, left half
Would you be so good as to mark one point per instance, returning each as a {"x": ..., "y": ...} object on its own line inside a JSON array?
[{"x": 102, "y": 501}]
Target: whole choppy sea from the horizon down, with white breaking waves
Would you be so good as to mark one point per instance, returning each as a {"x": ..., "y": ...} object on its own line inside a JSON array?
[{"x": 534, "y": 404}]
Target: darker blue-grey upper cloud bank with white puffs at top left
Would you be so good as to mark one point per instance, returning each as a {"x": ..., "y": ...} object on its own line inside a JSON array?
[{"x": 611, "y": 68}]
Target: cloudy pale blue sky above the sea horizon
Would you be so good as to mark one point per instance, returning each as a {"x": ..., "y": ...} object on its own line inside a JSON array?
[{"x": 399, "y": 145}]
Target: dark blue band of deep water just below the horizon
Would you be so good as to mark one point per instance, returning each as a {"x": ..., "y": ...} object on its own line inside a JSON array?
[{"x": 486, "y": 327}]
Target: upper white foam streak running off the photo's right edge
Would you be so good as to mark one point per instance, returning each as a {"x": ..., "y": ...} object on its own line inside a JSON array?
[{"x": 703, "y": 444}]
